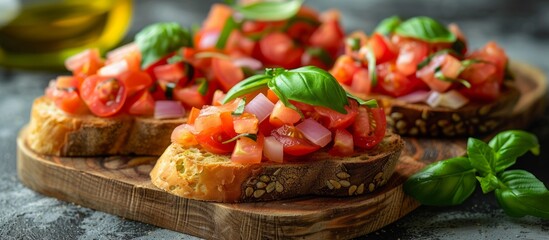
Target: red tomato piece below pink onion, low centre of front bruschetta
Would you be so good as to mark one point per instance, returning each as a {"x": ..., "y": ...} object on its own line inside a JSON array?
[{"x": 294, "y": 142}]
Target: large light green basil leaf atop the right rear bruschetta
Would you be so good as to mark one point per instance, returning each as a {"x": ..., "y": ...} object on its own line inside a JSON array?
[{"x": 426, "y": 29}]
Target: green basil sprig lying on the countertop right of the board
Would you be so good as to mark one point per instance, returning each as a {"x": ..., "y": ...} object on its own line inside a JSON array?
[{"x": 450, "y": 182}]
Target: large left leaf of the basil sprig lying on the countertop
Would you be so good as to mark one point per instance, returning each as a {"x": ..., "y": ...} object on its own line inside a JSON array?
[{"x": 444, "y": 183}]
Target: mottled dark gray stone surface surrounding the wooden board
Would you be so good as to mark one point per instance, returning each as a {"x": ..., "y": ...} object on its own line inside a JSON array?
[{"x": 521, "y": 27}]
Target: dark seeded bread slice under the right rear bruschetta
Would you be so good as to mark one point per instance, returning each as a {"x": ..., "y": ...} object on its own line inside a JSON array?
[{"x": 473, "y": 119}]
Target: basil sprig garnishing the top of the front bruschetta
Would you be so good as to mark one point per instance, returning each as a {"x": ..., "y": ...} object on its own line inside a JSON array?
[{"x": 309, "y": 84}]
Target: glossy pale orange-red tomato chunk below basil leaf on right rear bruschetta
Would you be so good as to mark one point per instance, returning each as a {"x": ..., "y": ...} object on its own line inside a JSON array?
[{"x": 410, "y": 54}]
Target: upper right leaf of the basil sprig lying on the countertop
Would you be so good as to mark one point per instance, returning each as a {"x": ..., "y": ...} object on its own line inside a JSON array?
[{"x": 511, "y": 144}]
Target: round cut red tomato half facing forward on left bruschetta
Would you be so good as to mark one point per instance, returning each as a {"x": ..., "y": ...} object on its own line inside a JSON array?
[{"x": 104, "y": 96}]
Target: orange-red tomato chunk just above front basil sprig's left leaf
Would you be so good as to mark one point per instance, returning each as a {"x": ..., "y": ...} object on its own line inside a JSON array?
[{"x": 226, "y": 73}]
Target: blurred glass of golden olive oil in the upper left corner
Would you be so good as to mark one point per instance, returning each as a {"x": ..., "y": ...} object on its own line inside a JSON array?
[{"x": 44, "y": 33}]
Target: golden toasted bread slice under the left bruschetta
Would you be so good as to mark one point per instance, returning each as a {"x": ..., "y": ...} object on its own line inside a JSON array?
[{"x": 53, "y": 132}]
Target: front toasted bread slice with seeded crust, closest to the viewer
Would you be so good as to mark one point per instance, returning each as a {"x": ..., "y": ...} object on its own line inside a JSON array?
[{"x": 196, "y": 174}]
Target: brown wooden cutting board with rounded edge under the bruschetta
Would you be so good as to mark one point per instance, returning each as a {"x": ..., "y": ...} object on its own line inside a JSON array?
[{"x": 120, "y": 185}]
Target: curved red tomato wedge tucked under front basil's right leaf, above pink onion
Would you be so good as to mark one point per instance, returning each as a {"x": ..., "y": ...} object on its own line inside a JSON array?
[{"x": 332, "y": 119}]
